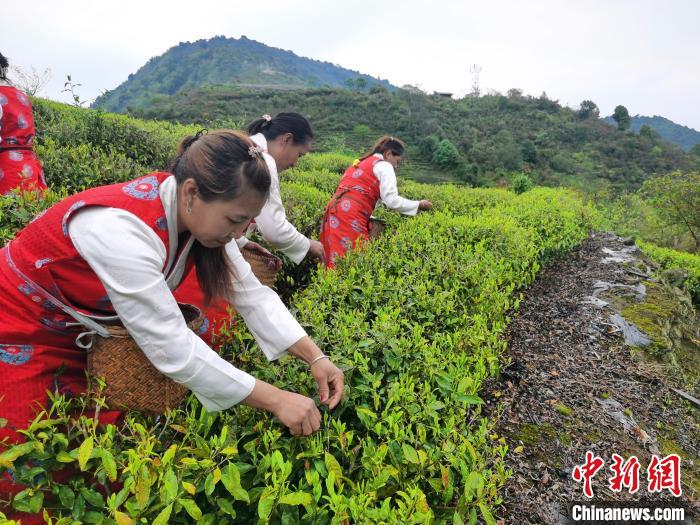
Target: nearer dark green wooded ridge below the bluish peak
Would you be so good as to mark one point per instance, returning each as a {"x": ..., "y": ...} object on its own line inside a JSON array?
[{"x": 477, "y": 140}]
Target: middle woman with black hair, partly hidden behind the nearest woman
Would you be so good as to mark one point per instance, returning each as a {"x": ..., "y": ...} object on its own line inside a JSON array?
[{"x": 284, "y": 139}]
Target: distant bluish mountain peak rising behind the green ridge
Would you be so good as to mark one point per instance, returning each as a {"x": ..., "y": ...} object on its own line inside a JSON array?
[{"x": 225, "y": 61}]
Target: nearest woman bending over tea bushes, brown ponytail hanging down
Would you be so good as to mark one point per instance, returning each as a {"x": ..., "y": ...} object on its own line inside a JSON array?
[{"x": 120, "y": 251}]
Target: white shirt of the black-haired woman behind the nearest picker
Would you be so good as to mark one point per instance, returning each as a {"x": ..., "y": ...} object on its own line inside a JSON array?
[{"x": 272, "y": 221}]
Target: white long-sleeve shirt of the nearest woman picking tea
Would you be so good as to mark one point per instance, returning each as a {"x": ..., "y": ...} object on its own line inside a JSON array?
[{"x": 128, "y": 257}]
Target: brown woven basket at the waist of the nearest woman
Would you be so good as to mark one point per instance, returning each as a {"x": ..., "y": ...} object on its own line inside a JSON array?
[{"x": 131, "y": 381}]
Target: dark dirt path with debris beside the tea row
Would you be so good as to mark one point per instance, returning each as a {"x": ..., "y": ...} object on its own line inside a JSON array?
[{"x": 573, "y": 386}]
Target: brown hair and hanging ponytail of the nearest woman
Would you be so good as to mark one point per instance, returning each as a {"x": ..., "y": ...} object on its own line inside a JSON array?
[{"x": 221, "y": 163}]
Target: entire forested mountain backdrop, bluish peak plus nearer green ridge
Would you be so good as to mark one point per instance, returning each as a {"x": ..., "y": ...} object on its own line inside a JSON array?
[{"x": 478, "y": 140}]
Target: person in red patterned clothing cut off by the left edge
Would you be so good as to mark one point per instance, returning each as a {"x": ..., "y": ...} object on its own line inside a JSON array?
[{"x": 19, "y": 166}]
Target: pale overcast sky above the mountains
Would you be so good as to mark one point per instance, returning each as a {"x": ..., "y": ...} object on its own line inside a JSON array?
[{"x": 643, "y": 54}]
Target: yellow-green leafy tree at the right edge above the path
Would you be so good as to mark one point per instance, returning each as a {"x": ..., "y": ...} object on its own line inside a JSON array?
[{"x": 676, "y": 198}]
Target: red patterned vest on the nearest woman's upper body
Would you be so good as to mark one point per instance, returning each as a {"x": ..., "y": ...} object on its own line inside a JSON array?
[{"x": 45, "y": 253}]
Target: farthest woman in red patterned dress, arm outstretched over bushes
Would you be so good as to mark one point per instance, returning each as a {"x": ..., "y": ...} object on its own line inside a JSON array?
[{"x": 346, "y": 221}]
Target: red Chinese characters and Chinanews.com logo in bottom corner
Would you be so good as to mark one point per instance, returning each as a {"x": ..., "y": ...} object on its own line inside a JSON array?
[{"x": 662, "y": 474}]
